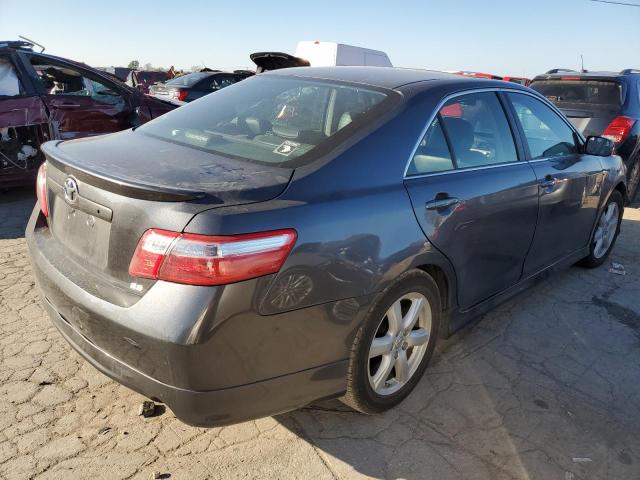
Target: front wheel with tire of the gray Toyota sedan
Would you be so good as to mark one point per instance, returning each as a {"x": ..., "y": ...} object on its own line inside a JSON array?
[{"x": 606, "y": 232}]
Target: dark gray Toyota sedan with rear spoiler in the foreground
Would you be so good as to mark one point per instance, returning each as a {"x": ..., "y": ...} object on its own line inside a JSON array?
[{"x": 310, "y": 233}]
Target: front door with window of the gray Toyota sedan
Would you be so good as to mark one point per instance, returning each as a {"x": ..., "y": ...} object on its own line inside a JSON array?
[{"x": 570, "y": 183}]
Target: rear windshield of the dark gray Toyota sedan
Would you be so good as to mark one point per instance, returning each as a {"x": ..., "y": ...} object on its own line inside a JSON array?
[{"x": 271, "y": 119}]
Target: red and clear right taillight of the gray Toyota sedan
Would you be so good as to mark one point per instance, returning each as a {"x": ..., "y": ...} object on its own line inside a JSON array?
[{"x": 210, "y": 260}]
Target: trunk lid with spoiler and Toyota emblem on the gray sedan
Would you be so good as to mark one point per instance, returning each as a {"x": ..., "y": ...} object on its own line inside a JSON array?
[{"x": 105, "y": 192}]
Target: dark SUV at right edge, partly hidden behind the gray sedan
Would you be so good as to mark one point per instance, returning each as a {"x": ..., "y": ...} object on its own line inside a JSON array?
[{"x": 600, "y": 103}]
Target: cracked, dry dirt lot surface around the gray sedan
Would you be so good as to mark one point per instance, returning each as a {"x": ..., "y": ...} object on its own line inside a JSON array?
[{"x": 545, "y": 387}]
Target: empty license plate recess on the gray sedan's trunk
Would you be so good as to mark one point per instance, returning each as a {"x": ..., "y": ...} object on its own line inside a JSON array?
[{"x": 85, "y": 235}]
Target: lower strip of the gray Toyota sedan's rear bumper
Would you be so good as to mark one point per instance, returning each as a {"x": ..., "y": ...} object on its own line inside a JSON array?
[{"x": 218, "y": 407}]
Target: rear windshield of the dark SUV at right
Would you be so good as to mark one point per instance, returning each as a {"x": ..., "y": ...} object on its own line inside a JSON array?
[{"x": 591, "y": 92}]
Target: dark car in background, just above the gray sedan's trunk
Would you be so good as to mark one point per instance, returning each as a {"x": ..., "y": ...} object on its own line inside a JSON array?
[{"x": 192, "y": 86}]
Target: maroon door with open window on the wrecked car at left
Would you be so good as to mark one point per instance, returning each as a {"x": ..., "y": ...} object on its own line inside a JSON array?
[{"x": 80, "y": 103}]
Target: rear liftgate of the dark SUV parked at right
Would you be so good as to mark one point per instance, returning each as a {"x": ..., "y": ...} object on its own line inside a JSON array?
[{"x": 590, "y": 105}]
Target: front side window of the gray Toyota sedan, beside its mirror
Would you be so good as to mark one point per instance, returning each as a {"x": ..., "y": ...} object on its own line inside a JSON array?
[{"x": 546, "y": 133}]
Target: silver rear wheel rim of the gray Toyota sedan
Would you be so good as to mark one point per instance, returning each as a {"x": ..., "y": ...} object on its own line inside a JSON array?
[{"x": 400, "y": 343}]
